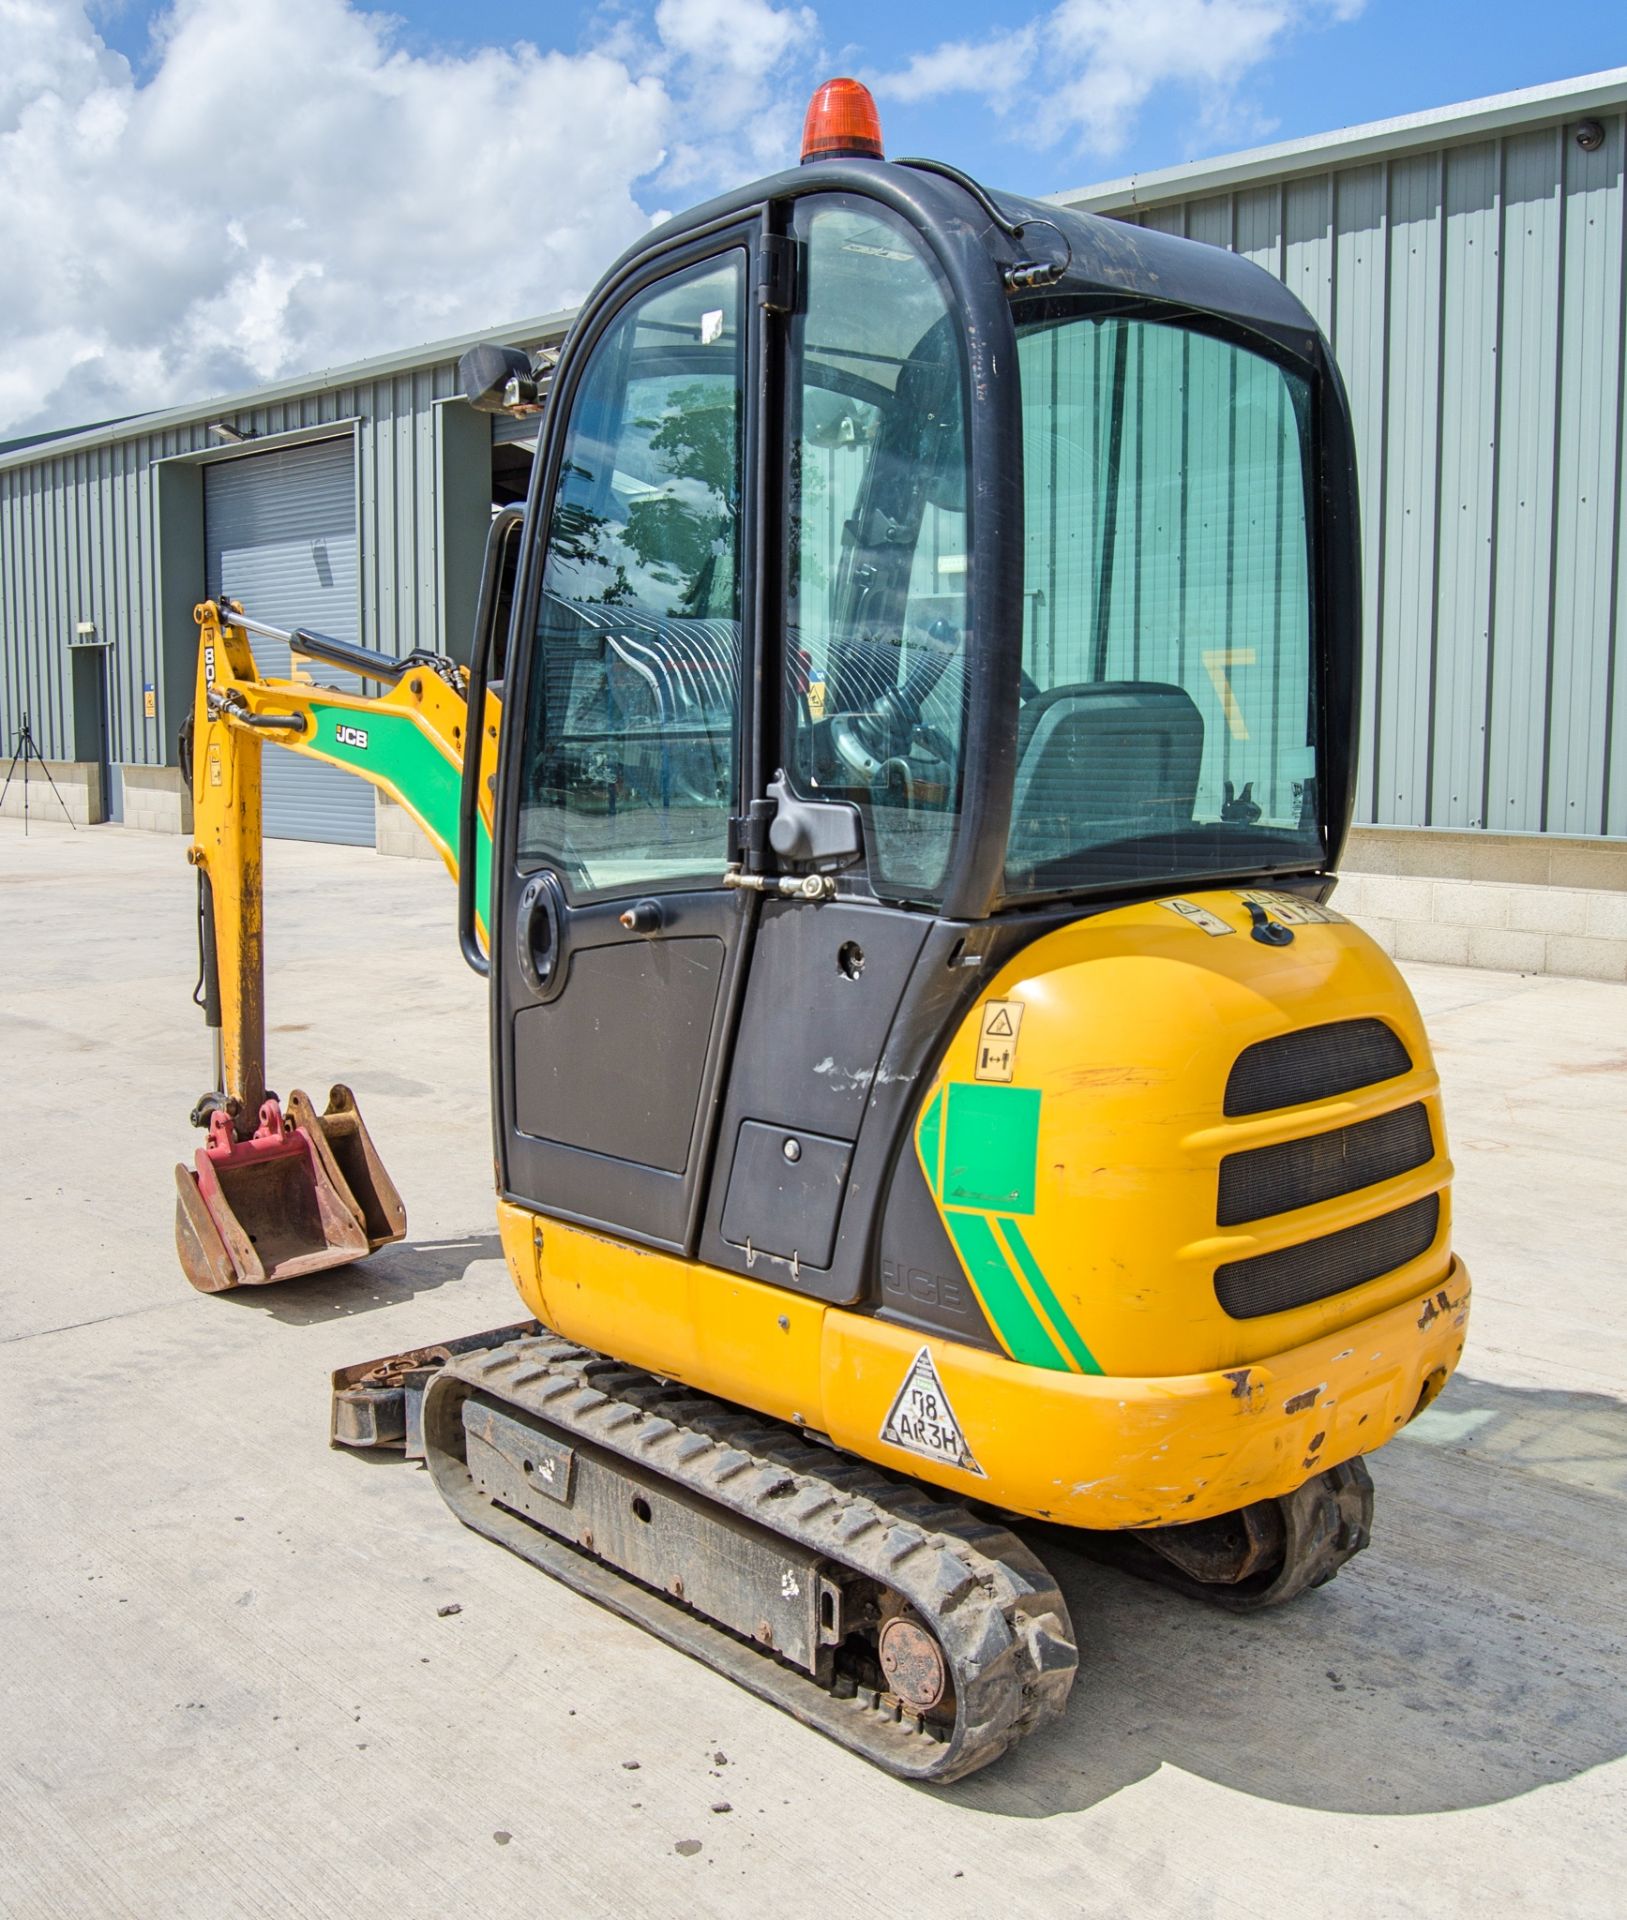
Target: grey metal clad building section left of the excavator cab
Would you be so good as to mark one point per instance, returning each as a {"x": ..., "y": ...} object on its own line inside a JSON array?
[{"x": 107, "y": 529}]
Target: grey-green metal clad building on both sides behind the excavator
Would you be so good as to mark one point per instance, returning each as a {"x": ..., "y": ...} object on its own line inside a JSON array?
[{"x": 1469, "y": 268}]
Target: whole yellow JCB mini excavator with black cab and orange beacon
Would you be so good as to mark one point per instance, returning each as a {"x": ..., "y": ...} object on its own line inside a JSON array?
[{"x": 933, "y": 1090}]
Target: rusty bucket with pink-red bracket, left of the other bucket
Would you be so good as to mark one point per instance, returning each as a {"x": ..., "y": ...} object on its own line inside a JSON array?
[{"x": 262, "y": 1211}]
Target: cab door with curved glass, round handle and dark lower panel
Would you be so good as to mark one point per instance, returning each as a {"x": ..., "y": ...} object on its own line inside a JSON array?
[{"x": 619, "y": 951}]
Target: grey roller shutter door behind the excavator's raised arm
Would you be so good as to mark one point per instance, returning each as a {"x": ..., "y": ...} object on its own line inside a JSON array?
[{"x": 279, "y": 535}]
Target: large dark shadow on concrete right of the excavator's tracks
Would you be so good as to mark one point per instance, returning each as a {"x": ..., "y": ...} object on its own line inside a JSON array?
[{"x": 1472, "y": 1654}]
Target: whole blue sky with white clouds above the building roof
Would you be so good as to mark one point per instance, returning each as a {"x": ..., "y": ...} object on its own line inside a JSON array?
[{"x": 206, "y": 195}]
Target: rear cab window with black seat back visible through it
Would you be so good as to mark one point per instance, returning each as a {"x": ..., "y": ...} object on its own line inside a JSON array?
[{"x": 1169, "y": 698}]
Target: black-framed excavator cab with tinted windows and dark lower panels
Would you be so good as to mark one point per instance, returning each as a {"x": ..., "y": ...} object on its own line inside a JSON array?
[{"x": 910, "y": 573}]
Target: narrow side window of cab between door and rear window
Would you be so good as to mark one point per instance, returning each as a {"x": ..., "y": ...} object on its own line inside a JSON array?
[{"x": 877, "y": 577}]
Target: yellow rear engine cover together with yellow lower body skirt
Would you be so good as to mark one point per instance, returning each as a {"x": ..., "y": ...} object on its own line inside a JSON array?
[{"x": 1157, "y": 1366}]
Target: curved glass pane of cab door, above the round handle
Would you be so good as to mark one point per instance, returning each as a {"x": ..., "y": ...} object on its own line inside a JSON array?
[{"x": 629, "y": 759}]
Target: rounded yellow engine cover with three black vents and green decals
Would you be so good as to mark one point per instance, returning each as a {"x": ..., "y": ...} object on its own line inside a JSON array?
[{"x": 1077, "y": 1128}]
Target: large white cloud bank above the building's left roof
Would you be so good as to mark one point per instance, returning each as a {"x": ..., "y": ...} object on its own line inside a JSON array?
[{"x": 289, "y": 187}]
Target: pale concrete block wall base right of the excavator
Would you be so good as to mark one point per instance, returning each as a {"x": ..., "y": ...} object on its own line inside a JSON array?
[{"x": 1517, "y": 903}]
